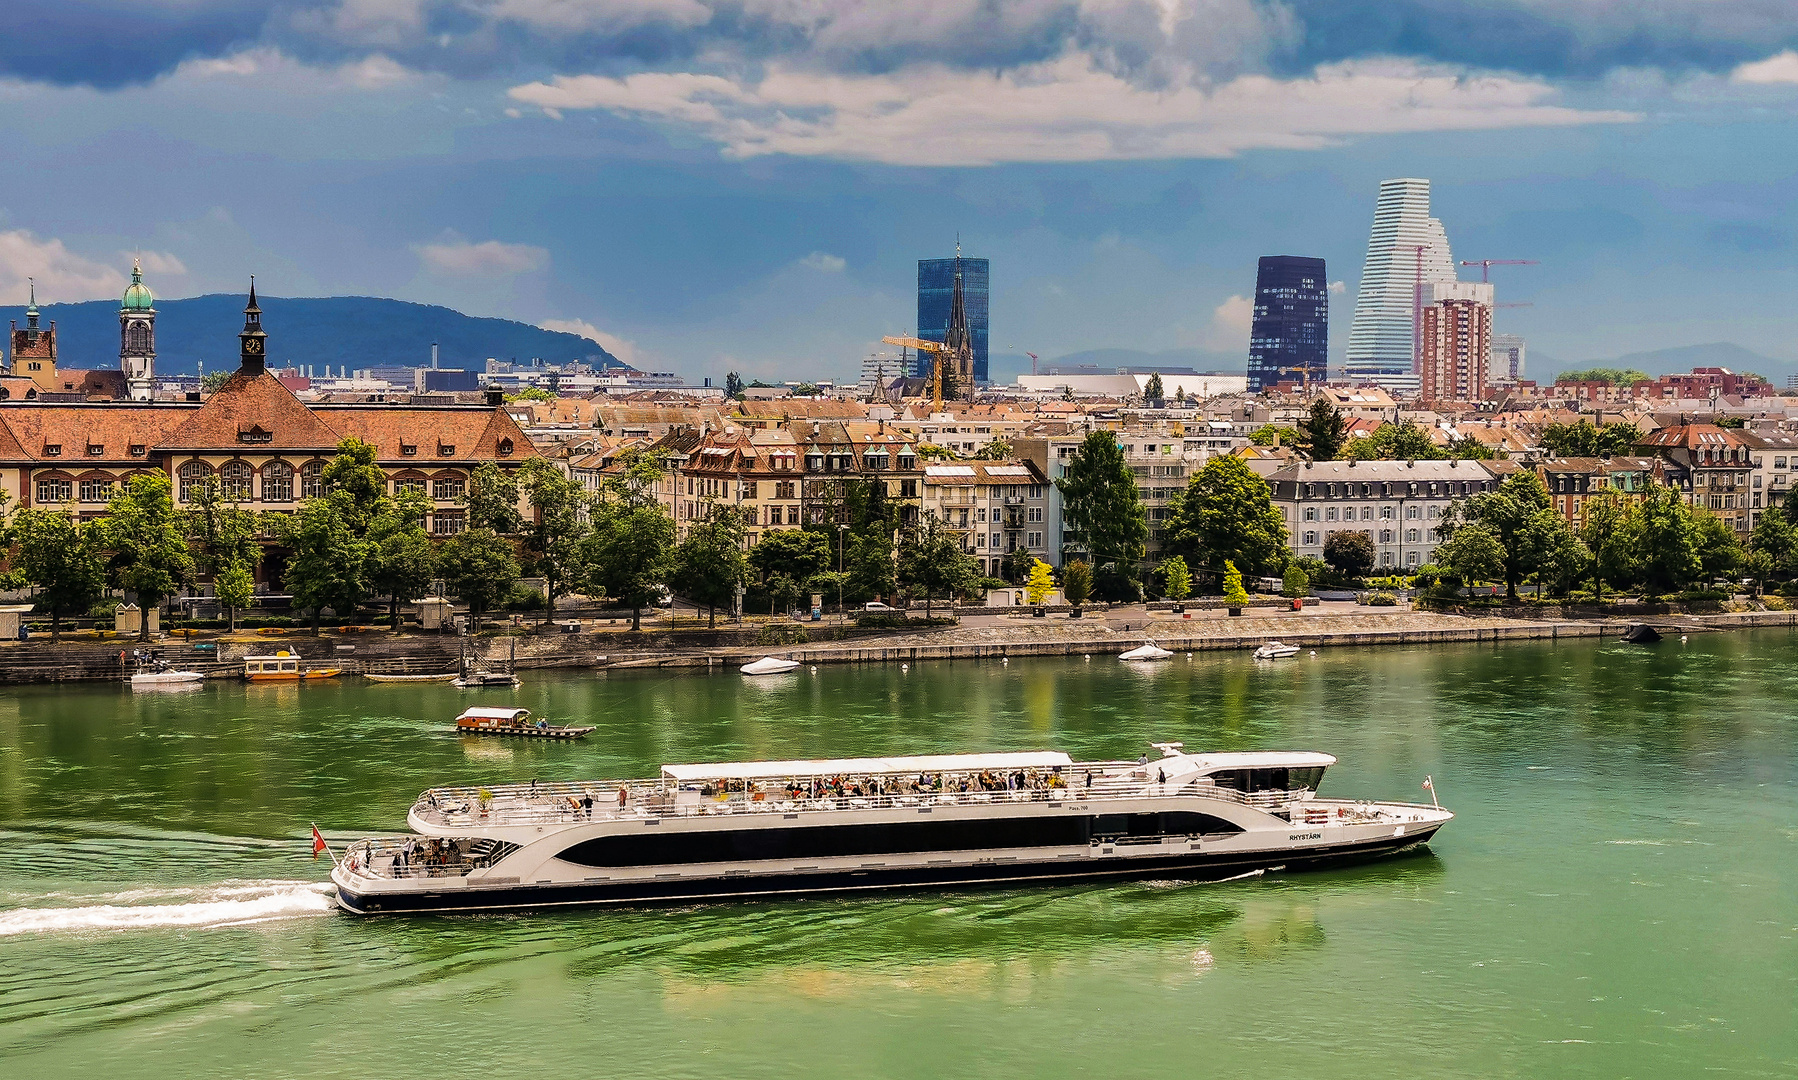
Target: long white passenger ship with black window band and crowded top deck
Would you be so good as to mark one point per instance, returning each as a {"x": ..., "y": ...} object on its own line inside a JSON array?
[{"x": 860, "y": 826}]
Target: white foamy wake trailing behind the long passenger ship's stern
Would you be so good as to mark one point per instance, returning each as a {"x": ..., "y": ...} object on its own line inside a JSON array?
[{"x": 211, "y": 907}]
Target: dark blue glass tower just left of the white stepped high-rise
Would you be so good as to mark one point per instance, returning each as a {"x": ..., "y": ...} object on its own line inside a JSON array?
[{"x": 1292, "y": 335}]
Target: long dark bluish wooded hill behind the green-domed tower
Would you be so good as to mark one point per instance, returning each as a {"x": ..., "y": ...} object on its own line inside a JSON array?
[{"x": 337, "y": 332}]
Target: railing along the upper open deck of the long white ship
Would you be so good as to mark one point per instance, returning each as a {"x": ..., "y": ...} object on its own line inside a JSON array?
[{"x": 560, "y": 804}]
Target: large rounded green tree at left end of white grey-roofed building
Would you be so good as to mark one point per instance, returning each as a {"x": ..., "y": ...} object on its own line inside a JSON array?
[{"x": 1227, "y": 513}]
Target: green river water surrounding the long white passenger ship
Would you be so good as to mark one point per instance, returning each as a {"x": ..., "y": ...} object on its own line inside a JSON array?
[{"x": 1616, "y": 898}]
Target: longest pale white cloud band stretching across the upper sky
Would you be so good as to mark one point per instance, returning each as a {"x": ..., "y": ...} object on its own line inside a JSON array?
[{"x": 1065, "y": 111}]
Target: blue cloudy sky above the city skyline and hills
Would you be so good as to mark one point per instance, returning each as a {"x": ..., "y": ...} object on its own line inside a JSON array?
[{"x": 709, "y": 186}]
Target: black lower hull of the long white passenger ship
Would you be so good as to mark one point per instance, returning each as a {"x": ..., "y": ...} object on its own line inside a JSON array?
[{"x": 1195, "y": 867}]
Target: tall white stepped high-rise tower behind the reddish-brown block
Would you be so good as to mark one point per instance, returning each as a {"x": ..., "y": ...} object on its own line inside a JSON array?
[{"x": 1409, "y": 249}]
